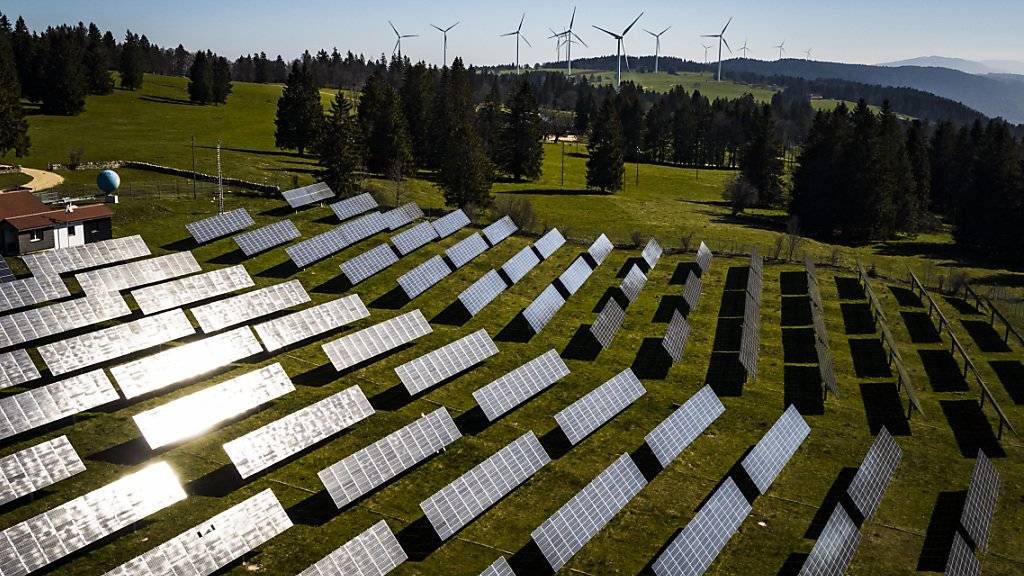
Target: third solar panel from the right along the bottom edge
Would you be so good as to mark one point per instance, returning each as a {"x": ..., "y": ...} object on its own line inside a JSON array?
[{"x": 700, "y": 544}]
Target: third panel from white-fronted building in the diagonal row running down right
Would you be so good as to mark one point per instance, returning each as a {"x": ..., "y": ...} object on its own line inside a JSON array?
[{"x": 192, "y": 290}]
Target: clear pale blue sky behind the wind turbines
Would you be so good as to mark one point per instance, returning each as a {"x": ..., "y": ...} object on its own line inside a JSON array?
[{"x": 868, "y": 31}]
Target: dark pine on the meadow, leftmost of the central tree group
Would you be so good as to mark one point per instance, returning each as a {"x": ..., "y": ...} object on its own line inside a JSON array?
[{"x": 300, "y": 112}]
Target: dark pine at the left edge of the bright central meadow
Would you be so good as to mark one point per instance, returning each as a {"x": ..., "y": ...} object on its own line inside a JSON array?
[{"x": 522, "y": 150}]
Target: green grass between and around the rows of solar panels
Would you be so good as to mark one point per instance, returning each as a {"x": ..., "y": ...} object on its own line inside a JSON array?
[{"x": 933, "y": 464}]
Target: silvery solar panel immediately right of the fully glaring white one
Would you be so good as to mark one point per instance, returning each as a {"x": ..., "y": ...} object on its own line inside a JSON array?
[{"x": 281, "y": 439}]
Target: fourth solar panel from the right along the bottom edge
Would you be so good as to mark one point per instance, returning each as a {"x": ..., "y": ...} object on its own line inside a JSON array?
[{"x": 566, "y": 532}]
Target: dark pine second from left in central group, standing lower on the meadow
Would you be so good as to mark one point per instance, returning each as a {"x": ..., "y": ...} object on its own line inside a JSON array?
[{"x": 339, "y": 148}]
